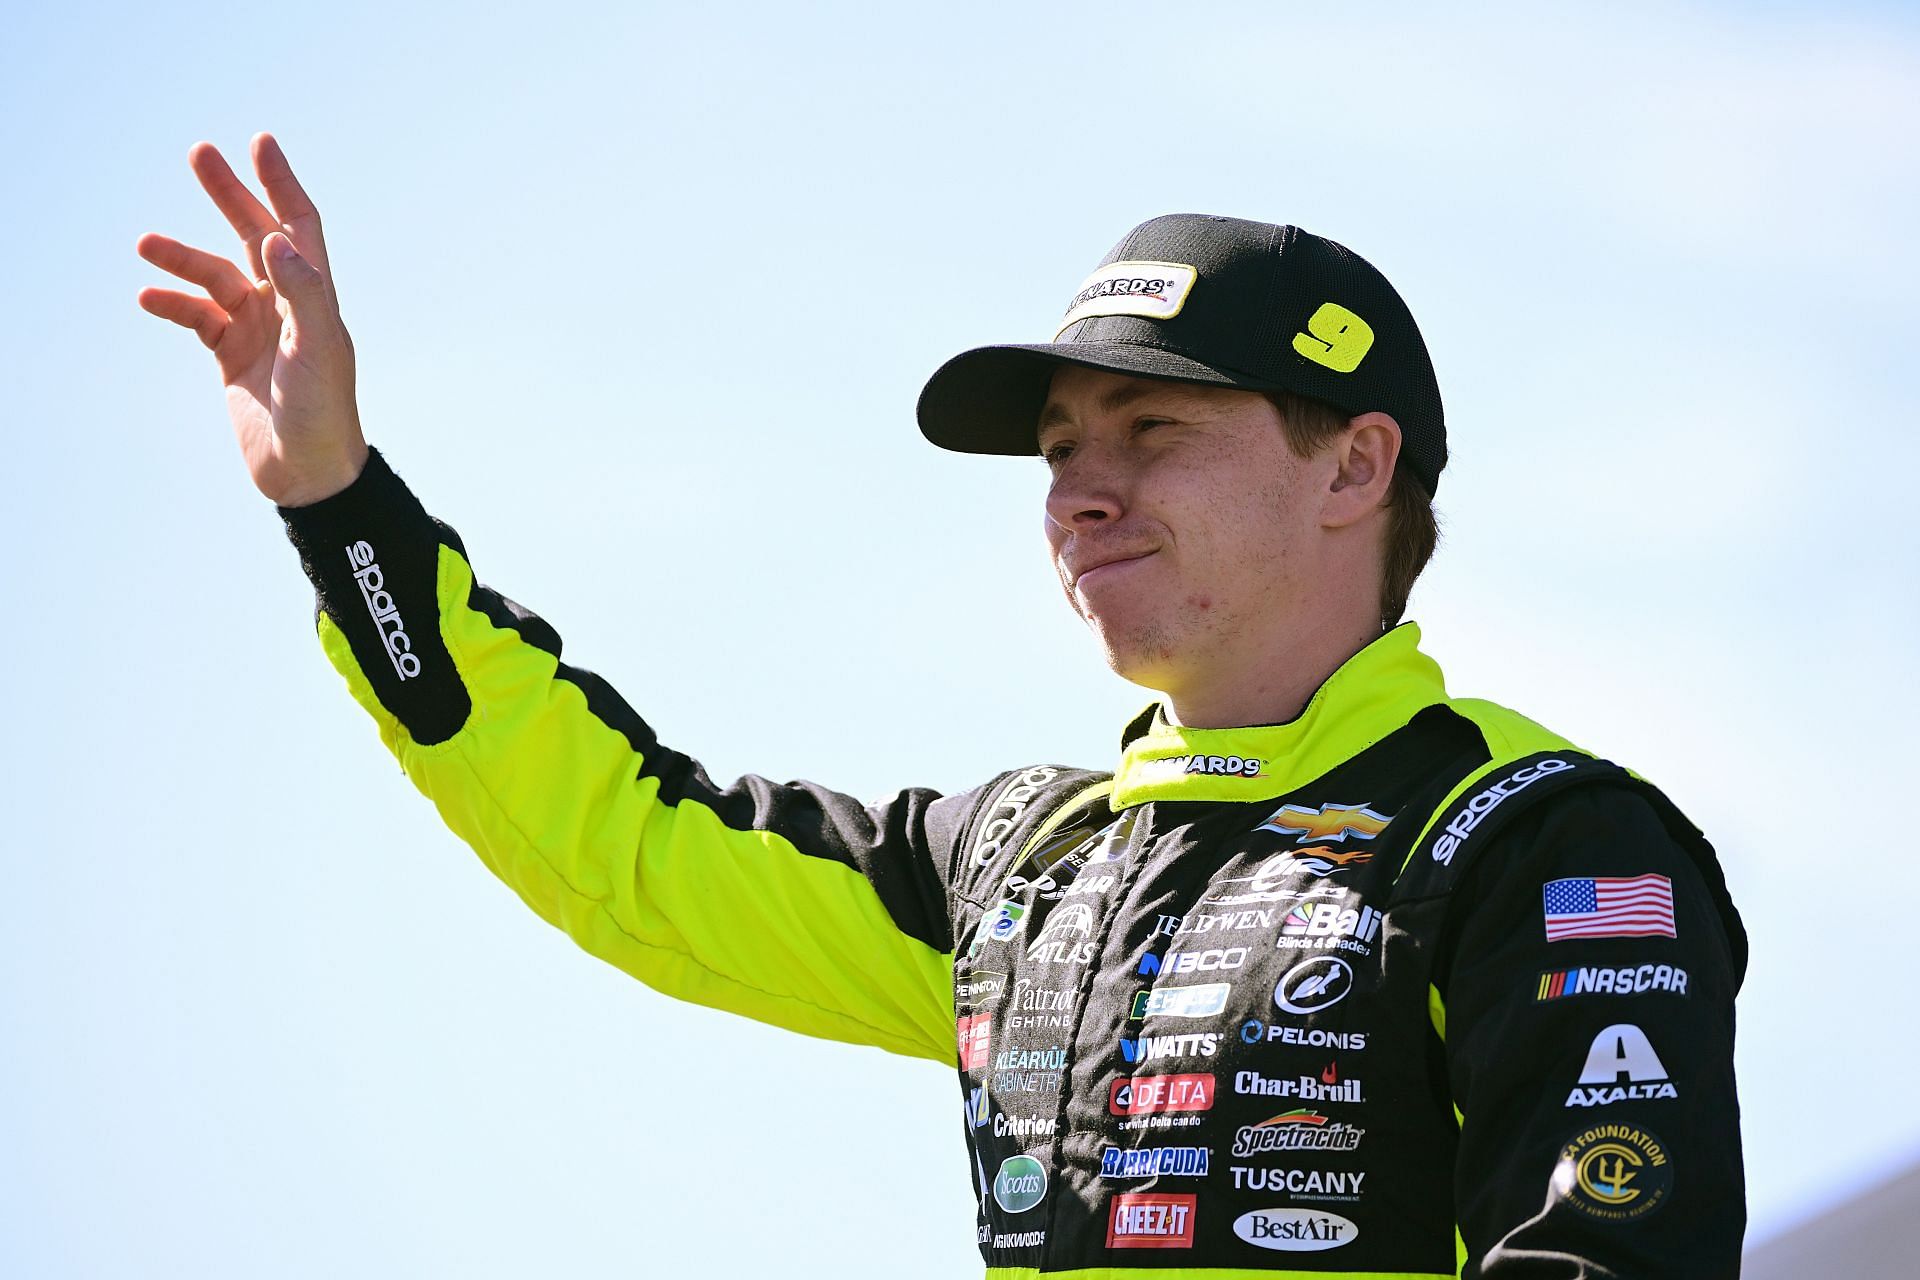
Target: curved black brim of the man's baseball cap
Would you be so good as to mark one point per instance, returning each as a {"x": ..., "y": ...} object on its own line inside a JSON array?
[{"x": 990, "y": 400}]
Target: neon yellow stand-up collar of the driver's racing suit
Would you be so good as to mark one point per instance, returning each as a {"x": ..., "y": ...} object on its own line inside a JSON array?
[{"x": 1376, "y": 692}]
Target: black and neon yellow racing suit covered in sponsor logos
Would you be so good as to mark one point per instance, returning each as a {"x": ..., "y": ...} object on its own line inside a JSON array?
[{"x": 1406, "y": 987}]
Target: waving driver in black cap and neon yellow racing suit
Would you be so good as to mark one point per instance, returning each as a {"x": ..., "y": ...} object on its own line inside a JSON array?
[{"x": 1333, "y": 974}]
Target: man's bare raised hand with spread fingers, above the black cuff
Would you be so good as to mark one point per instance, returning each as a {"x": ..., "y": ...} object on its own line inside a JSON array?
[{"x": 277, "y": 335}]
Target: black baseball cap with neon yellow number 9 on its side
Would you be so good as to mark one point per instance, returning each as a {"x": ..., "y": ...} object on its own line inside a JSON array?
[{"x": 1216, "y": 300}]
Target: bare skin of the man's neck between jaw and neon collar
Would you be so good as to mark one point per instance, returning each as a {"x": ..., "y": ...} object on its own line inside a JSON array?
[{"x": 1270, "y": 684}]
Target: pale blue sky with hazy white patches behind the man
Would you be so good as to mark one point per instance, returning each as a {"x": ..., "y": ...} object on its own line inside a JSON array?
[{"x": 644, "y": 296}]
